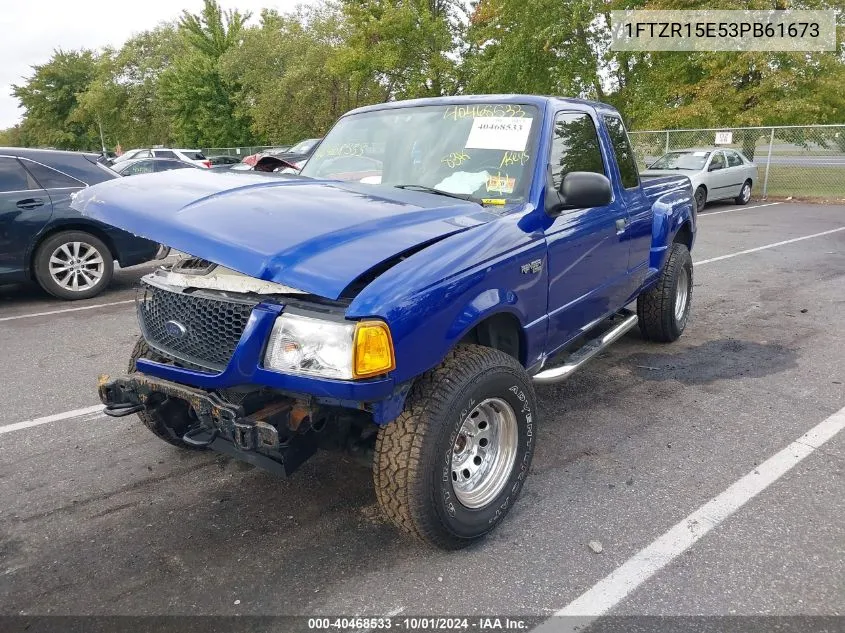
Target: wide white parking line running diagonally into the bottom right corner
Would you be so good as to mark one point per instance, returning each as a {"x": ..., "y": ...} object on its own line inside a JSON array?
[{"x": 621, "y": 582}]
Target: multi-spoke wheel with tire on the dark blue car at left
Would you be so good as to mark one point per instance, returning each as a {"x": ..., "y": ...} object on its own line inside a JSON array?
[{"x": 73, "y": 265}]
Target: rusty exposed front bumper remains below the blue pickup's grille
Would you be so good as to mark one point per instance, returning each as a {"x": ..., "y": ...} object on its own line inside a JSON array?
[{"x": 279, "y": 436}]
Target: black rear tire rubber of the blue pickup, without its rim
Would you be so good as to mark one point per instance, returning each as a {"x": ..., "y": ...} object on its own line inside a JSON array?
[{"x": 656, "y": 307}]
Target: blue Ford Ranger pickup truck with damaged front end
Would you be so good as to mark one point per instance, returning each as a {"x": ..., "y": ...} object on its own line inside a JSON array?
[{"x": 401, "y": 296}]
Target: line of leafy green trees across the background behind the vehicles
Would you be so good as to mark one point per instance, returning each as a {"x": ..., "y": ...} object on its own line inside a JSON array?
[{"x": 225, "y": 78}]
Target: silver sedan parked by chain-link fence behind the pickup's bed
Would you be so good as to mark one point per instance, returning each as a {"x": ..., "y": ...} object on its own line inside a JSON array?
[{"x": 716, "y": 174}]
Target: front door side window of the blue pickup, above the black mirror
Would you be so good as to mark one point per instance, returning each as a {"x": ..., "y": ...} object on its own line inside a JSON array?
[{"x": 575, "y": 146}]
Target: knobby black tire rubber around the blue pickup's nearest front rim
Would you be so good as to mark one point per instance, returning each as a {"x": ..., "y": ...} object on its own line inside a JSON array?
[{"x": 412, "y": 464}]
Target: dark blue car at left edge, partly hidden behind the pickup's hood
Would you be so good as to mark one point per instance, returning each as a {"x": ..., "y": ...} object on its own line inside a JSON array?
[{"x": 42, "y": 238}]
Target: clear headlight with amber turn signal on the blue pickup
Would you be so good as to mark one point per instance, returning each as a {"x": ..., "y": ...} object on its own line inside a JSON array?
[{"x": 329, "y": 349}]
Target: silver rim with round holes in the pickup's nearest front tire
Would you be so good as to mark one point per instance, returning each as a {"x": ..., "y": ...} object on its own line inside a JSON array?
[{"x": 484, "y": 453}]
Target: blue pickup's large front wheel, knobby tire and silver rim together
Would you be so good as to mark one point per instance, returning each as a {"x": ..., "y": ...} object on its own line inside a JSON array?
[{"x": 450, "y": 467}]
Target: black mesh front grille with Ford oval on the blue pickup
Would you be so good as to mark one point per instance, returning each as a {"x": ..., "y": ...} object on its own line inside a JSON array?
[{"x": 212, "y": 326}]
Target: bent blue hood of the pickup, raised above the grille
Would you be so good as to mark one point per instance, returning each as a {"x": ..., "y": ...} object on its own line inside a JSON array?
[{"x": 313, "y": 235}]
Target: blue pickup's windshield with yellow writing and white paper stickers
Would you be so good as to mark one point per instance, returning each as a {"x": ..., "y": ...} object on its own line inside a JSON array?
[{"x": 482, "y": 150}]
